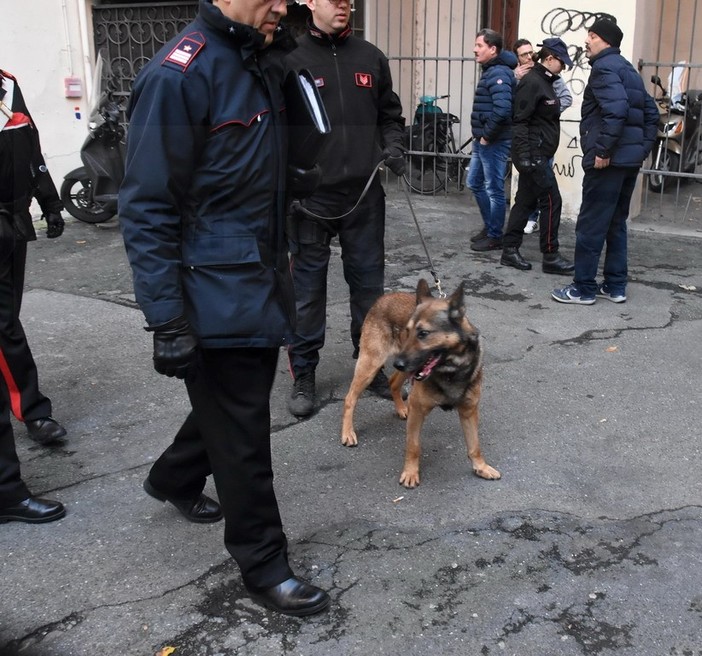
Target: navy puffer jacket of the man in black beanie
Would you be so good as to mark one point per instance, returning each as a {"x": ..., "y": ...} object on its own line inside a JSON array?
[{"x": 619, "y": 117}]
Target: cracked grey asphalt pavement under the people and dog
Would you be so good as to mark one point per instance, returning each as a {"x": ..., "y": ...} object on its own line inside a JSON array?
[{"x": 589, "y": 544}]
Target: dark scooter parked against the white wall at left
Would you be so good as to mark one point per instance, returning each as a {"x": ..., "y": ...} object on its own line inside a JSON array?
[{"x": 89, "y": 193}]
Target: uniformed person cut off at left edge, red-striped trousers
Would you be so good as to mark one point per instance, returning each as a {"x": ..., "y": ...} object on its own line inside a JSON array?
[{"x": 23, "y": 176}]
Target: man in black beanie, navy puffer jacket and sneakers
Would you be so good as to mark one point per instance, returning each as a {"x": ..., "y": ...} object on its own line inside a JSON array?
[{"x": 617, "y": 132}]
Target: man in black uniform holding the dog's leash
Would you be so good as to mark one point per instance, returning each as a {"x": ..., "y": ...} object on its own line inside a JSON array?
[{"x": 353, "y": 78}]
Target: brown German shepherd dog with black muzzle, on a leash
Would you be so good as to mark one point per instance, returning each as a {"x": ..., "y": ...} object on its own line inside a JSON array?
[{"x": 433, "y": 343}]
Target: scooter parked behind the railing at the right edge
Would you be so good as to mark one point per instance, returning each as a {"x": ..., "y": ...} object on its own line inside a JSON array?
[{"x": 678, "y": 146}]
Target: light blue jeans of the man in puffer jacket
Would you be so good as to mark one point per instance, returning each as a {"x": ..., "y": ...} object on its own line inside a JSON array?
[{"x": 486, "y": 179}]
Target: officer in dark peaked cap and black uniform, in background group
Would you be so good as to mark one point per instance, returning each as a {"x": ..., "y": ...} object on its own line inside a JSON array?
[{"x": 536, "y": 133}]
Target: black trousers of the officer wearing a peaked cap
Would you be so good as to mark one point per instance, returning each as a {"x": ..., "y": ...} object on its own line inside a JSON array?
[{"x": 534, "y": 190}]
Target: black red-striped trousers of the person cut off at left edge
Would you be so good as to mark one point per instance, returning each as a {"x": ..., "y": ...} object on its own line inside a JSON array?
[{"x": 19, "y": 390}]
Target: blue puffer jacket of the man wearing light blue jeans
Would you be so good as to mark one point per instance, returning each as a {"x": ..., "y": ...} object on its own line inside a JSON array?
[{"x": 492, "y": 106}]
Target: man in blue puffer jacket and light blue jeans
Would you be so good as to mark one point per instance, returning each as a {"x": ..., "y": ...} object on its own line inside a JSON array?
[{"x": 491, "y": 123}]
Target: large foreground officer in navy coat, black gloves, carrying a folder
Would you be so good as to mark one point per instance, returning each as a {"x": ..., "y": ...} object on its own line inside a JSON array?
[{"x": 202, "y": 210}]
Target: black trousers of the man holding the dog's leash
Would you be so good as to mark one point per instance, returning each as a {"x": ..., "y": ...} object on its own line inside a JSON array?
[{"x": 361, "y": 236}]
